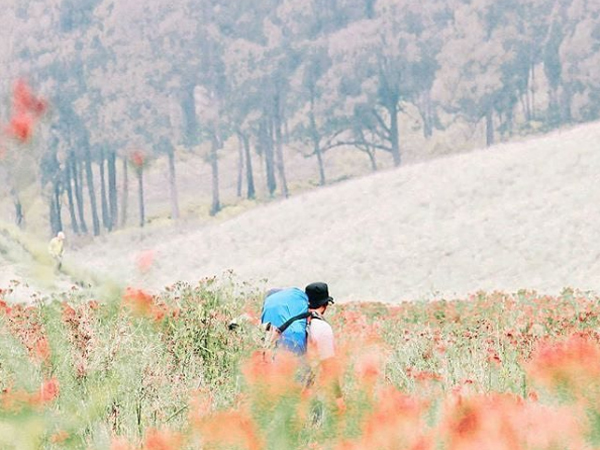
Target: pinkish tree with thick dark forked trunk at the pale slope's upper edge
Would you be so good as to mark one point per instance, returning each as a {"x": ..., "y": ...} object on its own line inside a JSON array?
[{"x": 376, "y": 67}]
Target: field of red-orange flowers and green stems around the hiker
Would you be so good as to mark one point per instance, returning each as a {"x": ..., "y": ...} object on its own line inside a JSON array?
[{"x": 136, "y": 371}]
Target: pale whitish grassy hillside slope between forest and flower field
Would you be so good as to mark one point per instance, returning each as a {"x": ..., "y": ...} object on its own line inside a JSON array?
[{"x": 523, "y": 215}]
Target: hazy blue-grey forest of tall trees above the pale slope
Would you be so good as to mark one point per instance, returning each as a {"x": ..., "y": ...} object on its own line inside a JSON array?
[{"x": 128, "y": 82}]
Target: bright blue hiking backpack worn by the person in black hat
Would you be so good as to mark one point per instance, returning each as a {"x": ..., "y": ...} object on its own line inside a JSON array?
[{"x": 285, "y": 317}]
